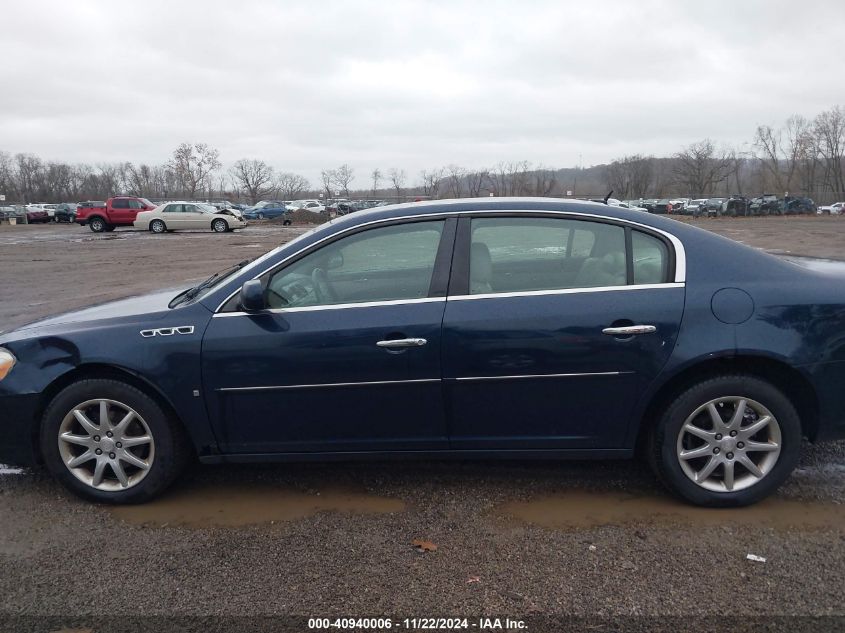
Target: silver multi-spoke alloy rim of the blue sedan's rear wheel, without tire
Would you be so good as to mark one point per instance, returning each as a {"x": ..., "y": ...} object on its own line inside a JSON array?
[{"x": 729, "y": 444}]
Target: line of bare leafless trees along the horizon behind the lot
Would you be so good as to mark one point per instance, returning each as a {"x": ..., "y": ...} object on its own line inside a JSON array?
[{"x": 803, "y": 157}]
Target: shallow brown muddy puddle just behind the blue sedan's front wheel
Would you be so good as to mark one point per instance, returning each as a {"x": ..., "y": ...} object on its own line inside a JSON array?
[{"x": 235, "y": 506}]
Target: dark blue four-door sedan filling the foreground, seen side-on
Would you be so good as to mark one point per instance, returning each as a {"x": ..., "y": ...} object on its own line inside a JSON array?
[{"x": 491, "y": 328}]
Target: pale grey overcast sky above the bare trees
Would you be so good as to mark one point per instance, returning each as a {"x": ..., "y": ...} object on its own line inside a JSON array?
[{"x": 314, "y": 84}]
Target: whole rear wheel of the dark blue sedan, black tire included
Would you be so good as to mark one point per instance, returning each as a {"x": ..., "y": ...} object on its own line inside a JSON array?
[{"x": 730, "y": 449}]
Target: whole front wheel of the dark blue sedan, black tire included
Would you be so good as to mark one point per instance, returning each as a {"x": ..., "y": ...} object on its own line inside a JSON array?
[{"x": 159, "y": 443}]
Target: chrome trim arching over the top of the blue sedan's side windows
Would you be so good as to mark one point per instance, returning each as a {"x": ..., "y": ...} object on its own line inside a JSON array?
[{"x": 680, "y": 253}]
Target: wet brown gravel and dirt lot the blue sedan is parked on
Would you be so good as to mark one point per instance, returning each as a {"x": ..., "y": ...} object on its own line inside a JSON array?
[{"x": 513, "y": 539}]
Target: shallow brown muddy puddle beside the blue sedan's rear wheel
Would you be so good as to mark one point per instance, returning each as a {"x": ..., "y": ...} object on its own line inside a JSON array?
[{"x": 582, "y": 510}]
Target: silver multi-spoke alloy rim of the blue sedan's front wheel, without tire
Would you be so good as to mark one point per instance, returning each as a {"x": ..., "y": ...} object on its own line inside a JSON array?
[{"x": 106, "y": 444}]
